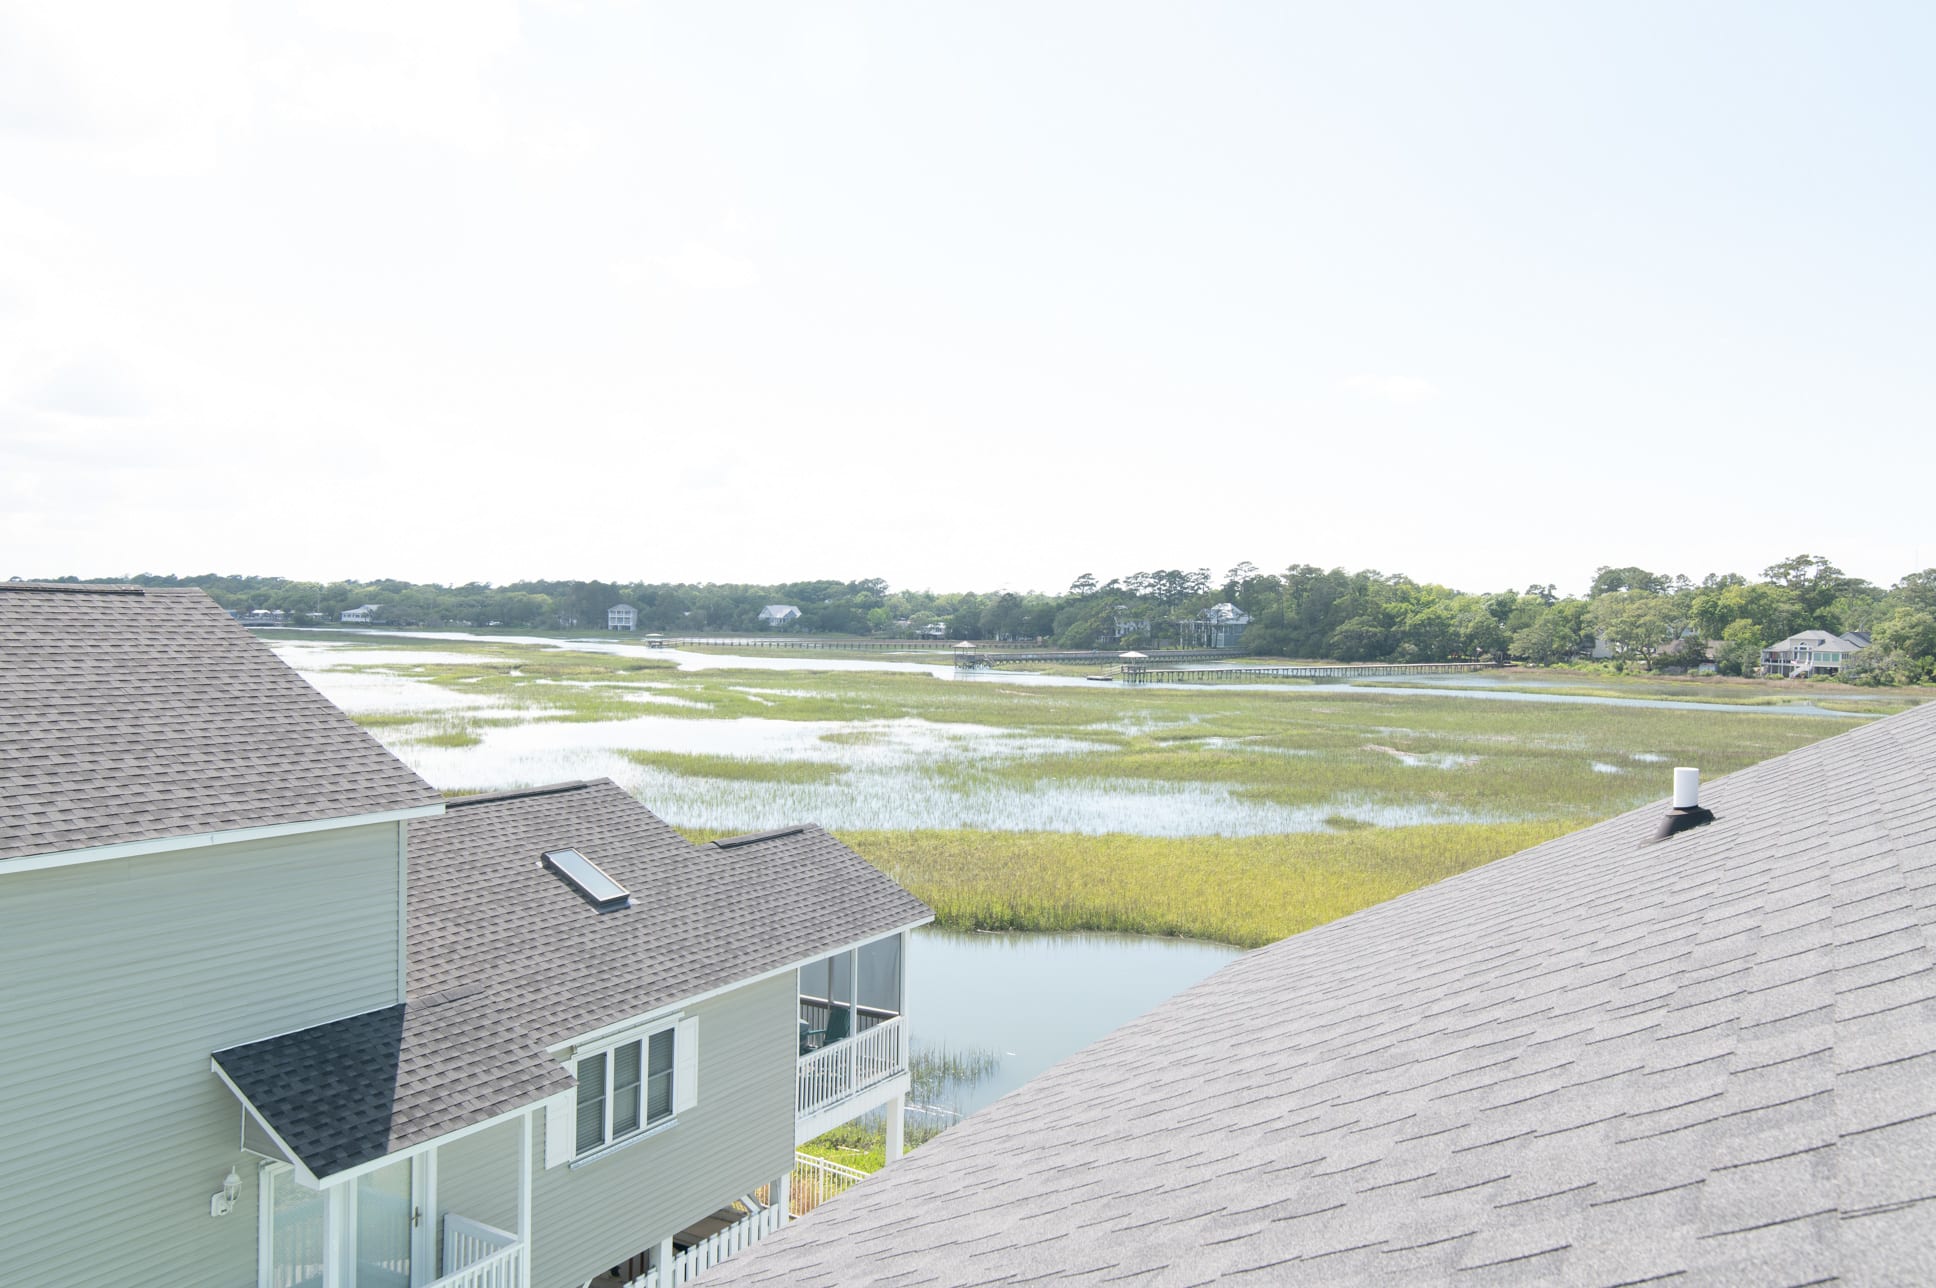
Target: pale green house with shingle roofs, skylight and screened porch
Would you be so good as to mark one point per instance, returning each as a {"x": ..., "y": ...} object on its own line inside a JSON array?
[{"x": 311, "y": 1024}]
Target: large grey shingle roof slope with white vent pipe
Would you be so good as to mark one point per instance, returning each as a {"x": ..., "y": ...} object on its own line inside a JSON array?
[{"x": 1596, "y": 1062}]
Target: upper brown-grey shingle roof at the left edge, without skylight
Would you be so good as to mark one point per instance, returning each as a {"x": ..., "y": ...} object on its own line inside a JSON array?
[{"x": 138, "y": 714}]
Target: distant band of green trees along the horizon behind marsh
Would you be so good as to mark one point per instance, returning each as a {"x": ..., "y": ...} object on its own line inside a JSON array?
[{"x": 1645, "y": 619}]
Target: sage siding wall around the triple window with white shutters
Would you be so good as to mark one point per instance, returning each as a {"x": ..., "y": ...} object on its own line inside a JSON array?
[{"x": 739, "y": 1138}]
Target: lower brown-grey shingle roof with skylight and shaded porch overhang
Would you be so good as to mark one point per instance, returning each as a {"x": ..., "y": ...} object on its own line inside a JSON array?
[{"x": 508, "y": 960}]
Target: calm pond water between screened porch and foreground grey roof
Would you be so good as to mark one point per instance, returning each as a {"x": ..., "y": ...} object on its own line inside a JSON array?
[{"x": 1033, "y": 1000}]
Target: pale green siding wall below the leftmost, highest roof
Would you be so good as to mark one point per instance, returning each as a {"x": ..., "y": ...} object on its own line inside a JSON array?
[{"x": 117, "y": 983}]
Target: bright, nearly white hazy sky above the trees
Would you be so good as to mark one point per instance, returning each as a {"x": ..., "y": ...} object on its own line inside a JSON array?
[{"x": 965, "y": 295}]
